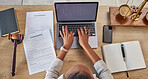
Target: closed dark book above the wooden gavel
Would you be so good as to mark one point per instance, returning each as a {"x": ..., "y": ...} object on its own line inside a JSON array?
[{"x": 8, "y": 22}]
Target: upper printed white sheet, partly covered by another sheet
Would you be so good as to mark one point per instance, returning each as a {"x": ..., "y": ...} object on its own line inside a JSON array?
[{"x": 37, "y": 21}]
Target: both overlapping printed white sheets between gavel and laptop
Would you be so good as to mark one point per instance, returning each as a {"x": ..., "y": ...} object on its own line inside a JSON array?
[{"x": 38, "y": 41}]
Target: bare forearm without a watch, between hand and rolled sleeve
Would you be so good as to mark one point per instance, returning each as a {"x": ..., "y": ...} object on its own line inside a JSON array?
[{"x": 91, "y": 53}]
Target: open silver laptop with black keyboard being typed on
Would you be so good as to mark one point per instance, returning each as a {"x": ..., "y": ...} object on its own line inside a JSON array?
[{"x": 76, "y": 15}]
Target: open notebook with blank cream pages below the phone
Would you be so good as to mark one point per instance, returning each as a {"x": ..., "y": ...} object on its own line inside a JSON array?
[{"x": 113, "y": 56}]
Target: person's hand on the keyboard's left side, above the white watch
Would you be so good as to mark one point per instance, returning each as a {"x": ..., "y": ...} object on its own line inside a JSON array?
[{"x": 67, "y": 38}]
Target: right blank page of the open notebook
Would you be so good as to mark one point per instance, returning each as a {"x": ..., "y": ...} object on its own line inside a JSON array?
[{"x": 134, "y": 55}]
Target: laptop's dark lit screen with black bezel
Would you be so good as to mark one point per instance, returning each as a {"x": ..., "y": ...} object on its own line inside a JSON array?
[{"x": 76, "y": 11}]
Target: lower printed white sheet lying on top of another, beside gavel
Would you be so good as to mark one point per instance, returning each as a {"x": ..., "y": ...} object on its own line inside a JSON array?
[{"x": 39, "y": 51}]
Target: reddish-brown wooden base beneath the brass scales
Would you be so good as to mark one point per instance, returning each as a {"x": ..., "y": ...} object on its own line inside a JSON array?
[{"x": 117, "y": 20}]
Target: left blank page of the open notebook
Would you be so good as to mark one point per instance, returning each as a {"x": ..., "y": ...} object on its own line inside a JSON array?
[{"x": 113, "y": 57}]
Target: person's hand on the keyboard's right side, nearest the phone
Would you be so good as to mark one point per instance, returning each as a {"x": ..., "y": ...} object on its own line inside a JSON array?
[{"x": 83, "y": 37}]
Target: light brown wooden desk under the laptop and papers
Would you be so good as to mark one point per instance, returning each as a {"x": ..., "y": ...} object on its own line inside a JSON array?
[{"x": 75, "y": 56}]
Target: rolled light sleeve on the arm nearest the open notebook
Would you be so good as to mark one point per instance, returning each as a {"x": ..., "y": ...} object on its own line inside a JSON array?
[{"x": 102, "y": 70}]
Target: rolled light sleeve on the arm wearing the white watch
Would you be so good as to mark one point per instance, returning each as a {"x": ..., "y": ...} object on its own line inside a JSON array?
[{"x": 54, "y": 69}]
